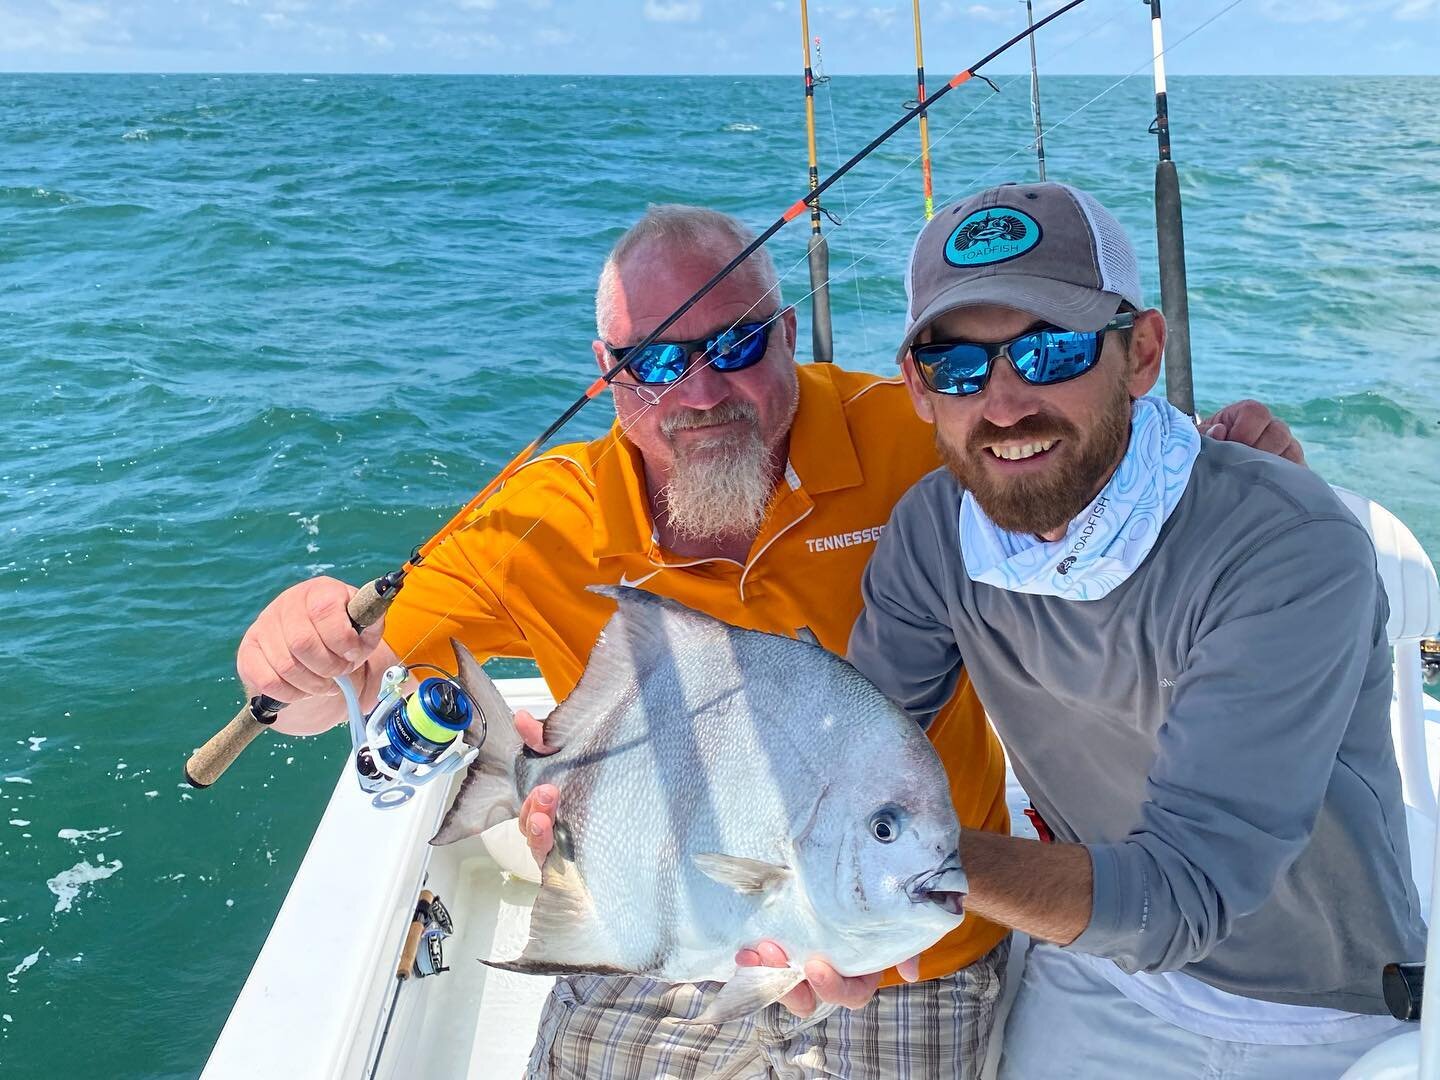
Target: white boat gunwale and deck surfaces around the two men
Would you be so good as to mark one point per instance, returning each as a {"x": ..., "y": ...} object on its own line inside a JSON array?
[{"x": 319, "y": 997}]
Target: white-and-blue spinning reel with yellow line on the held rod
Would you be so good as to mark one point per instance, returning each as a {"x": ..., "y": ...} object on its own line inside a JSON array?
[{"x": 407, "y": 741}]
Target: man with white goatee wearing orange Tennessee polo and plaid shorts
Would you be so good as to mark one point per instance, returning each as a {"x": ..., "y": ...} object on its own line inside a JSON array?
[{"x": 745, "y": 487}]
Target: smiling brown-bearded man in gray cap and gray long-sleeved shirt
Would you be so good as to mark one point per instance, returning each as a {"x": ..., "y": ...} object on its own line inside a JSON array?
[{"x": 1229, "y": 872}]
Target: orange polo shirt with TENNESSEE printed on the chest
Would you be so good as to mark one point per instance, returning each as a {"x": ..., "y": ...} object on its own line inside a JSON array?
[{"x": 513, "y": 582}]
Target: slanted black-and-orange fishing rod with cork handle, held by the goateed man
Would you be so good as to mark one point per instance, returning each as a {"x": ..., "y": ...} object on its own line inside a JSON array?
[{"x": 375, "y": 598}]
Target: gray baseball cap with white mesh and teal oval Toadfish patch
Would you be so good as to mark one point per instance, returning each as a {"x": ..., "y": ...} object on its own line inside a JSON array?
[{"x": 1049, "y": 250}]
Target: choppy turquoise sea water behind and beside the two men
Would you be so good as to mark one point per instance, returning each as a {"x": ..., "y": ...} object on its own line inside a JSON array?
[{"x": 267, "y": 328}]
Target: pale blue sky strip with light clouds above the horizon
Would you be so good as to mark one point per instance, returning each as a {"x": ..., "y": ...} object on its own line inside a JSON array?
[{"x": 702, "y": 37}]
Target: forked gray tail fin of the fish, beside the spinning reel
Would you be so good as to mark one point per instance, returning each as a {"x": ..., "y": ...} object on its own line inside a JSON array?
[{"x": 487, "y": 794}]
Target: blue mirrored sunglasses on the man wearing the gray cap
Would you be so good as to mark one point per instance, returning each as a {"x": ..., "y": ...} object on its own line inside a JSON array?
[{"x": 1042, "y": 358}]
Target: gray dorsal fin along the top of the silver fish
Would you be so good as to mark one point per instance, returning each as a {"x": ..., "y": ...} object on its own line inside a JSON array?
[{"x": 639, "y": 639}]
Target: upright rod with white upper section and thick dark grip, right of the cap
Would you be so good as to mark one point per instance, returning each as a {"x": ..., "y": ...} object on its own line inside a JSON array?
[{"x": 1170, "y": 233}]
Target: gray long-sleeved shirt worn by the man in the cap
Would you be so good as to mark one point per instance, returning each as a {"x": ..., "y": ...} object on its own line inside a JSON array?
[{"x": 1216, "y": 731}]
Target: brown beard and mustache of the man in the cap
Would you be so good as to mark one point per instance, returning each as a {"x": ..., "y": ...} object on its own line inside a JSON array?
[{"x": 1049, "y": 502}]
